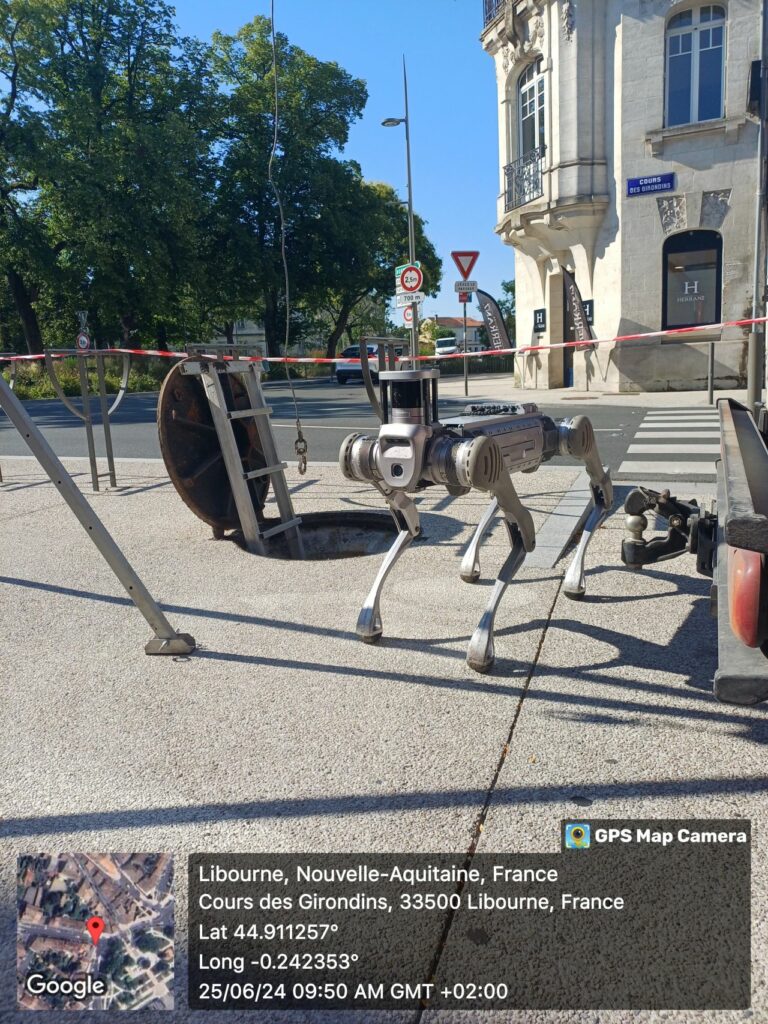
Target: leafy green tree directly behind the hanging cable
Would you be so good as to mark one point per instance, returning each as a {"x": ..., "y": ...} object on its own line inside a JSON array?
[{"x": 318, "y": 102}]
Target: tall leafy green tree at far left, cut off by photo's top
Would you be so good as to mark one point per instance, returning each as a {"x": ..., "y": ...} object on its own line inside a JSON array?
[{"x": 108, "y": 116}]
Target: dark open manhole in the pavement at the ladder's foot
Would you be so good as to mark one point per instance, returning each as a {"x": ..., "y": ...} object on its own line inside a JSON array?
[{"x": 334, "y": 535}]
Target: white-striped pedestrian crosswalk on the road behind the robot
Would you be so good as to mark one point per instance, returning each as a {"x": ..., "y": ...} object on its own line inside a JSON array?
[{"x": 682, "y": 442}]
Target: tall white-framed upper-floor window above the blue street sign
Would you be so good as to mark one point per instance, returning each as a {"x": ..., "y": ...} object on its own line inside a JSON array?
[{"x": 696, "y": 65}]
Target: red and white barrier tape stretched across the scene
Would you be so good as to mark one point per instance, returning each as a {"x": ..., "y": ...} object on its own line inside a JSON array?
[{"x": 319, "y": 361}]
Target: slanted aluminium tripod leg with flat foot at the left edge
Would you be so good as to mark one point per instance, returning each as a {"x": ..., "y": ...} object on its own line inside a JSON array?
[{"x": 166, "y": 641}]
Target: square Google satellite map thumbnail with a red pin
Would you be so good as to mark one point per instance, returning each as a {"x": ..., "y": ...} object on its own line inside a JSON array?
[{"x": 96, "y": 931}]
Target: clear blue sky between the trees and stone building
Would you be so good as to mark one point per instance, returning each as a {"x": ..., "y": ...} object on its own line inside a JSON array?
[{"x": 452, "y": 96}]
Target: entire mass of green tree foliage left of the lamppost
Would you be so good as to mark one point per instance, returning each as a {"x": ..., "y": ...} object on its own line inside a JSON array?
[{"x": 136, "y": 173}]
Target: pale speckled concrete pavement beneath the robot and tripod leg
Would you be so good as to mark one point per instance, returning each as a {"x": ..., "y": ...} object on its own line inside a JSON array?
[{"x": 284, "y": 733}]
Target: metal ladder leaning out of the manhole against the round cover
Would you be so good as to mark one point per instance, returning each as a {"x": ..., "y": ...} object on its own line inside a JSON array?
[{"x": 255, "y": 531}]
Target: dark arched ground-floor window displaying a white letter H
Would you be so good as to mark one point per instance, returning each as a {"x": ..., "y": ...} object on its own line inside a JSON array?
[{"x": 693, "y": 280}]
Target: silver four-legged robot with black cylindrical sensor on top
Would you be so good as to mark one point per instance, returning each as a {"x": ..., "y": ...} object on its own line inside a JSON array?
[{"x": 480, "y": 450}]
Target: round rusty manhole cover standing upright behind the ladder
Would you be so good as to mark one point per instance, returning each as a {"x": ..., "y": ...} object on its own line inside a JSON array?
[{"x": 192, "y": 453}]
